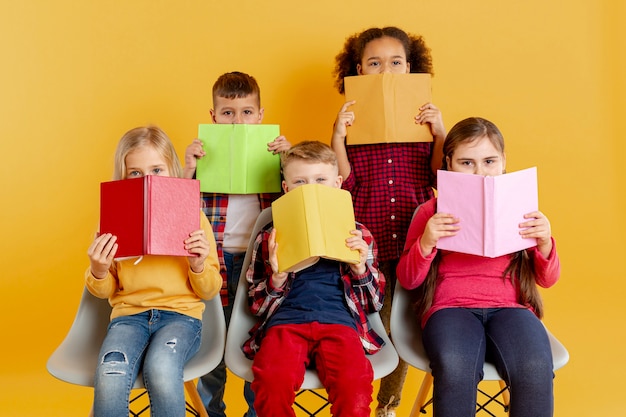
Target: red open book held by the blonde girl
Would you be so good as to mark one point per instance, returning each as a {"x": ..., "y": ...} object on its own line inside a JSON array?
[{"x": 152, "y": 215}]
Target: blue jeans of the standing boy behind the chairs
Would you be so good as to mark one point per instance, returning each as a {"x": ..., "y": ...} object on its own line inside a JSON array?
[{"x": 211, "y": 386}]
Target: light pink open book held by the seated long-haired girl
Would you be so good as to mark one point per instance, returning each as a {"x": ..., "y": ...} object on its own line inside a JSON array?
[{"x": 490, "y": 210}]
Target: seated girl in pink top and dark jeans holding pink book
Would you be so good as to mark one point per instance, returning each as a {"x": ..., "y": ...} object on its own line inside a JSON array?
[{"x": 475, "y": 308}]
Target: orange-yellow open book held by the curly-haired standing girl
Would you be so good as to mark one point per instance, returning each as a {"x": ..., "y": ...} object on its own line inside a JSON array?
[{"x": 386, "y": 106}]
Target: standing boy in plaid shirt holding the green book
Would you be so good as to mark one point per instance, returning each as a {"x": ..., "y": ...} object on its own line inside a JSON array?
[{"x": 236, "y": 99}]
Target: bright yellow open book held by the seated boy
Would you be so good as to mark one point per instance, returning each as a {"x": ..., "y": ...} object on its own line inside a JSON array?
[{"x": 313, "y": 221}]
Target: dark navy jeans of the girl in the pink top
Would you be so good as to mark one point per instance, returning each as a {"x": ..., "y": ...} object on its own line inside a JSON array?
[{"x": 458, "y": 341}]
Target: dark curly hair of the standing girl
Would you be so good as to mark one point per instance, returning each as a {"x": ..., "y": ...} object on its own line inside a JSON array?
[{"x": 417, "y": 53}]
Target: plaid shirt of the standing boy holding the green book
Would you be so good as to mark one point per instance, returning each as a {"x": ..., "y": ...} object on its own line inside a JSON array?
[{"x": 214, "y": 207}]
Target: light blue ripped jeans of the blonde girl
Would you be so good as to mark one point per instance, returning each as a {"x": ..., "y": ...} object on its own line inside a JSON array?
[{"x": 160, "y": 343}]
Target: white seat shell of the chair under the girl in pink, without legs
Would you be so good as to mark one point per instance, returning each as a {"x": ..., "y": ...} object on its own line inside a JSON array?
[{"x": 407, "y": 337}]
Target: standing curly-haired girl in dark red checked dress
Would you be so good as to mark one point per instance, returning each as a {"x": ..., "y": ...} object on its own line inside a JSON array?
[{"x": 387, "y": 180}]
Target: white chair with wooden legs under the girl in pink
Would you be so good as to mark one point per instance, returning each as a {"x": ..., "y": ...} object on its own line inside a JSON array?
[{"x": 407, "y": 338}]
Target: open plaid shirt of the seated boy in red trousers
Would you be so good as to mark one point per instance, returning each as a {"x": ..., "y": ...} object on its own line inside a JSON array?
[{"x": 363, "y": 293}]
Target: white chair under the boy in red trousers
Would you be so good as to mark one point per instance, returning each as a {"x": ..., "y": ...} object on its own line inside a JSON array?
[{"x": 242, "y": 320}]
